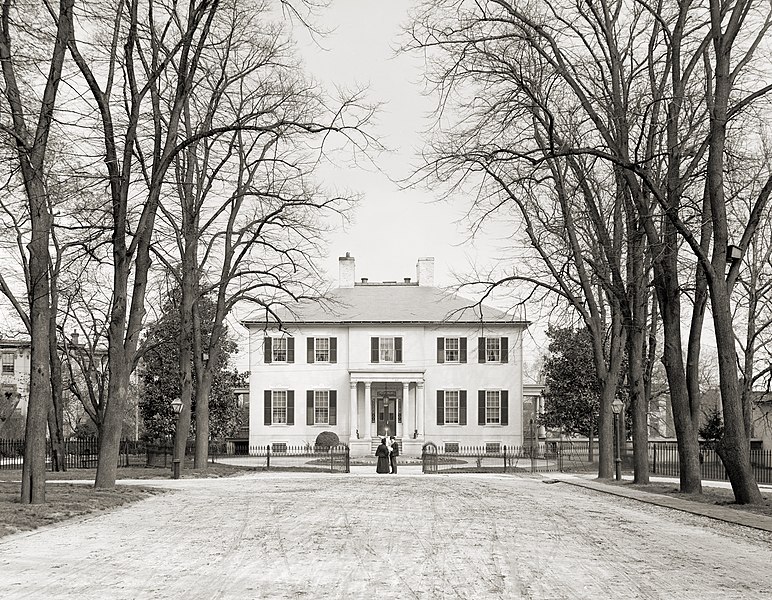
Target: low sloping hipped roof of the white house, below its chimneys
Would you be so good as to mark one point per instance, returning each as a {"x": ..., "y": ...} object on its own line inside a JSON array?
[{"x": 391, "y": 303}]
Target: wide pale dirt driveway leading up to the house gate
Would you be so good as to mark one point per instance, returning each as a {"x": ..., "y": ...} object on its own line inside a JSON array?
[{"x": 319, "y": 536}]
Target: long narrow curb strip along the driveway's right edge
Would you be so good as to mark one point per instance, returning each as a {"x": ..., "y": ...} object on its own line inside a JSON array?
[{"x": 711, "y": 511}]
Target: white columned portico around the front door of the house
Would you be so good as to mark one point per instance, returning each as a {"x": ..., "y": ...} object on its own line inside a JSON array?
[{"x": 384, "y": 403}]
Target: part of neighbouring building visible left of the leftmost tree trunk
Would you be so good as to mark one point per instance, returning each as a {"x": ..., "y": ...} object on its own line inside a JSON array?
[{"x": 14, "y": 386}]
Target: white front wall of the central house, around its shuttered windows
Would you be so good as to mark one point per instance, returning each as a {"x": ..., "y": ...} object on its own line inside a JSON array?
[{"x": 419, "y": 344}]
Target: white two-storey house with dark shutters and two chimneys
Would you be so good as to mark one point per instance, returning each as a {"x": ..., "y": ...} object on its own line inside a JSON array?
[{"x": 404, "y": 359}]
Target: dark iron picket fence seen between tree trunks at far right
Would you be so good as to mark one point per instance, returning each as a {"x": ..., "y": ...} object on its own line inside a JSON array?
[{"x": 663, "y": 460}]
